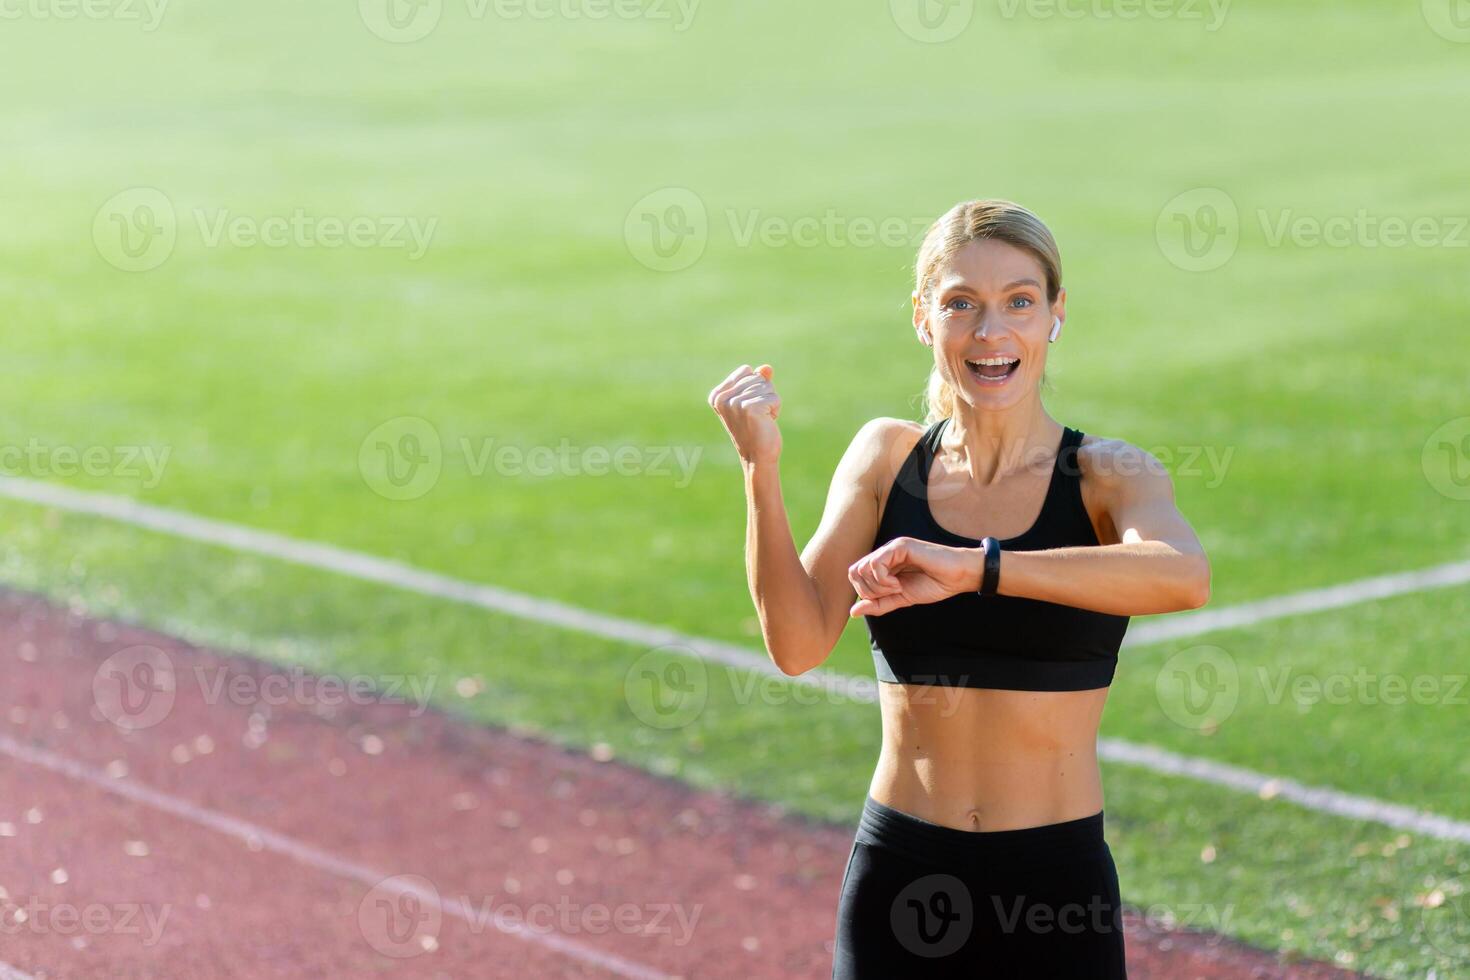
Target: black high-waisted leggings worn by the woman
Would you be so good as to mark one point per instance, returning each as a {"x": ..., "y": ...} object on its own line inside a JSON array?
[{"x": 921, "y": 900}]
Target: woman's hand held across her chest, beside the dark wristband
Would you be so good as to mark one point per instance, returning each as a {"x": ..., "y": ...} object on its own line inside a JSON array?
[{"x": 911, "y": 572}]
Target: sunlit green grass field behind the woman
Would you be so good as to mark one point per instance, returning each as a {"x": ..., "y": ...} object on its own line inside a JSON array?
[{"x": 1294, "y": 387}]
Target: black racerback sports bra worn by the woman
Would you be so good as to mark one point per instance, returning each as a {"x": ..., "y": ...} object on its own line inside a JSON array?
[{"x": 994, "y": 641}]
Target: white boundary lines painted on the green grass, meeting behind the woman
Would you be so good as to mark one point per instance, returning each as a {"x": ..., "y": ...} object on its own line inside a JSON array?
[{"x": 571, "y": 618}]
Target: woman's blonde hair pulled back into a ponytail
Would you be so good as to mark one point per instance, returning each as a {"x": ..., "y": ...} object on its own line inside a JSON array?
[{"x": 980, "y": 221}]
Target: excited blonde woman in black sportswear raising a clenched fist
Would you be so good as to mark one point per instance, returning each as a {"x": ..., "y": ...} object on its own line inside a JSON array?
[{"x": 996, "y": 556}]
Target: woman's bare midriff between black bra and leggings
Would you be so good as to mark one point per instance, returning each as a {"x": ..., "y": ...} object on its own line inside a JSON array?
[{"x": 978, "y": 759}]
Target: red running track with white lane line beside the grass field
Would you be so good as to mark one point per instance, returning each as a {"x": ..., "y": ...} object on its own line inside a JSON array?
[{"x": 168, "y": 812}]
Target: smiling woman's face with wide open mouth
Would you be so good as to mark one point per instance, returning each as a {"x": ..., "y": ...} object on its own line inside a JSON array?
[{"x": 989, "y": 320}]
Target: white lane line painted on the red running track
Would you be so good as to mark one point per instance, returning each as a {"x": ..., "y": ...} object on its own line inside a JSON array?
[{"x": 257, "y": 837}]
